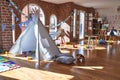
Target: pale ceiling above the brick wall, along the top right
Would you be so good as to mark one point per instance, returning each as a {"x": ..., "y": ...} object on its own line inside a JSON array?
[{"x": 90, "y": 3}]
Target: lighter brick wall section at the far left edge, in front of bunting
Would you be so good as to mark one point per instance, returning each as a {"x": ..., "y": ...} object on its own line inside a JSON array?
[{"x": 5, "y": 17}]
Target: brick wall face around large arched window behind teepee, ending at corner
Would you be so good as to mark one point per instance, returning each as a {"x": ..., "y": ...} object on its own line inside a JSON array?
[{"x": 48, "y": 9}]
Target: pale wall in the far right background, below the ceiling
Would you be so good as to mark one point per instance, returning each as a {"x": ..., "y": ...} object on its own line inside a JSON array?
[{"x": 112, "y": 15}]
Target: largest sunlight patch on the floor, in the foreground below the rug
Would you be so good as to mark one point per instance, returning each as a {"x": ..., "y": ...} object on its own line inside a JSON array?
[{"x": 24, "y": 73}]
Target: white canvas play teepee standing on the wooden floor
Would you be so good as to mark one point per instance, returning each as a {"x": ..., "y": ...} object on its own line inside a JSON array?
[{"x": 35, "y": 37}]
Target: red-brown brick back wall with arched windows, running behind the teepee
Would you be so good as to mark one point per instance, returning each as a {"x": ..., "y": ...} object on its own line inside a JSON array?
[{"x": 60, "y": 10}]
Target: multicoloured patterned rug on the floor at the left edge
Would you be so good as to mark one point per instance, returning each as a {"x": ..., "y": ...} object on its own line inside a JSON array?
[{"x": 7, "y": 65}]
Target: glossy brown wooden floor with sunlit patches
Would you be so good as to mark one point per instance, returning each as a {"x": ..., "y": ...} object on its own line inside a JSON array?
[{"x": 101, "y": 64}]
